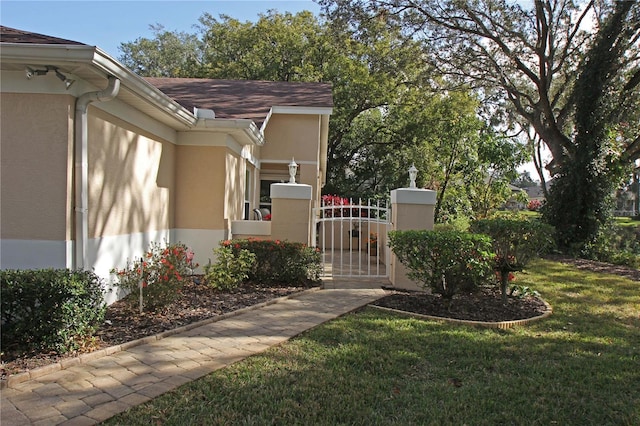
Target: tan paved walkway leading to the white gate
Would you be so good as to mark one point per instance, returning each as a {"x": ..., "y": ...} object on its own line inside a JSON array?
[{"x": 94, "y": 390}]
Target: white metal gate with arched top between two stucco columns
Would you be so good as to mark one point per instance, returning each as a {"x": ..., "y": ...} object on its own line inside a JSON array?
[{"x": 352, "y": 237}]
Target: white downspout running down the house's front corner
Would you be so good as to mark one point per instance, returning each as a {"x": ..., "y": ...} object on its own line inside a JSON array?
[{"x": 82, "y": 167}]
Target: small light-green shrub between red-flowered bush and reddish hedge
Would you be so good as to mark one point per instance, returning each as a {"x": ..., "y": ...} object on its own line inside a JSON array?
[{"x": 229, "y": 270}]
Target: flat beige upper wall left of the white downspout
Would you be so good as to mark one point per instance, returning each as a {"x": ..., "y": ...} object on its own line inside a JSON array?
[{"x": 37, "y": 144}]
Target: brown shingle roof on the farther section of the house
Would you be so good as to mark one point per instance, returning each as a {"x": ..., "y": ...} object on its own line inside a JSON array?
[{"x": 246, "y": 99}]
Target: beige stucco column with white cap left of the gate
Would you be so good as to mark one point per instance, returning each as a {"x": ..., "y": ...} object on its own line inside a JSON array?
[{"x": 291, "y": 212}]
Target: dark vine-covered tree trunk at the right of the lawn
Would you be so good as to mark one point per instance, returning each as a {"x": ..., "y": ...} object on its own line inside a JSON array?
[{"x": 580, "y": 200}]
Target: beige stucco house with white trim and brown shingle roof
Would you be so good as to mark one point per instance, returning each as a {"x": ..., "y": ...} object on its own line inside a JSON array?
[{"x": 97, "y": 162}]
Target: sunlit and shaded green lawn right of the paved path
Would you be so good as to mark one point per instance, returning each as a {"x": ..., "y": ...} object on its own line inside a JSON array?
[{"x": 581, "y": 366}]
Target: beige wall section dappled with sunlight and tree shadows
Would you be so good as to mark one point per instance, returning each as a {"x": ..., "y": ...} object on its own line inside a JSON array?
[{"x": 131, "y": 178}]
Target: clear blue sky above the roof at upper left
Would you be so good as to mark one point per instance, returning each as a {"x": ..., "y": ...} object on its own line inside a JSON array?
[{"x": 107, "y": 24}]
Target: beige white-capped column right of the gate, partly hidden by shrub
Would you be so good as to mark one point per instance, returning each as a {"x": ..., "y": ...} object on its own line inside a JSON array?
[{"x": 411, "y": 209}]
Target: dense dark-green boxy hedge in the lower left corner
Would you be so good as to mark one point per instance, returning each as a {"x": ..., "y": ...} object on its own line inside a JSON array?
[{"x": 49, "y": 309}]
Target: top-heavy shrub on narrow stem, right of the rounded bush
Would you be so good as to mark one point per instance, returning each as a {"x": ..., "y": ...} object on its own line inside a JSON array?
[{"x": 515, "y": 242}]
